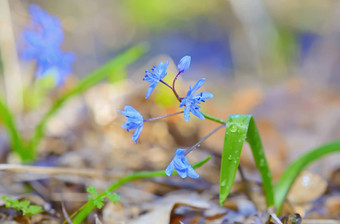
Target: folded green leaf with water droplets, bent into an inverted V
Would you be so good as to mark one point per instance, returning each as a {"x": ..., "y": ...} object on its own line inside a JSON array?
[{"x": 241, "y": 128}]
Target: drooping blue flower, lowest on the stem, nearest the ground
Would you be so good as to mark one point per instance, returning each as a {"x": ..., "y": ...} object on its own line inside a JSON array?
[{"x": 182, "y": 166}]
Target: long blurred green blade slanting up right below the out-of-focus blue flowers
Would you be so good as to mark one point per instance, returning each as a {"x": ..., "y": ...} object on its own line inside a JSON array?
[{"x": 115, "y": 65}]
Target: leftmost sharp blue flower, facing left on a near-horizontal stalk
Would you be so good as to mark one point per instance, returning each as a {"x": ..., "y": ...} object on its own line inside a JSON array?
[{"x": 134, "y": 121}]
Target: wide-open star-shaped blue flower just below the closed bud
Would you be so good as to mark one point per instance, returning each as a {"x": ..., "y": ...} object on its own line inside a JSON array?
[{"x": 190, "y": 102}]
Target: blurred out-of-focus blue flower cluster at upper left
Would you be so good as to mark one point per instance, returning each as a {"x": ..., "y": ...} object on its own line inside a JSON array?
[{"x": 43, "y": 45}]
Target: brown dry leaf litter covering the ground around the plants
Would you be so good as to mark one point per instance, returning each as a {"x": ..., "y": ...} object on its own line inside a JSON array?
[{"x": 100, "y": 145}]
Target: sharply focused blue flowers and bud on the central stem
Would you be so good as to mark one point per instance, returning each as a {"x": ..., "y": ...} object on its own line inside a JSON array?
[{"x": 190, "y": 102}]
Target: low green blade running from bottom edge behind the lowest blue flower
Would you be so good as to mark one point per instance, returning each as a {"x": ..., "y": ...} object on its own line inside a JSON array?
[{"x": 85, "y": 210}]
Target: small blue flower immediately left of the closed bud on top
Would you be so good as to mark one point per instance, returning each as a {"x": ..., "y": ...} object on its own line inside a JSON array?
[{"x": 155, "y": 75}]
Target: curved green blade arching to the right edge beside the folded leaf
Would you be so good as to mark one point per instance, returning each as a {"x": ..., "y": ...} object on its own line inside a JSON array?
[{"x": 294, "y": 169}]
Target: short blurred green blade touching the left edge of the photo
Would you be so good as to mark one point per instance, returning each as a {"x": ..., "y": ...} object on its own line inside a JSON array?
[{"x": 16, "y": 142}]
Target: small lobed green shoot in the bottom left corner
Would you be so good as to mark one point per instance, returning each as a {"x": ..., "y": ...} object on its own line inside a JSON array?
[{"x": 22, "y": 206}]
